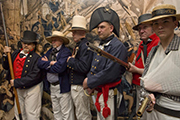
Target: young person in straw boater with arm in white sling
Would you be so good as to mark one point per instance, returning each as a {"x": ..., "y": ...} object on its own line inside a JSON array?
[{"x": 161, "y": 76}]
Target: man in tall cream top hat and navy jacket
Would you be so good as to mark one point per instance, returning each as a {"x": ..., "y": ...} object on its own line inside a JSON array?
[{"x": 79, "y": 64}]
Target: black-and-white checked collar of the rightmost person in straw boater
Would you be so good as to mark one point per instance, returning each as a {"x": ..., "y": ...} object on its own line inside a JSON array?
[{"x": 174, "y": 44}]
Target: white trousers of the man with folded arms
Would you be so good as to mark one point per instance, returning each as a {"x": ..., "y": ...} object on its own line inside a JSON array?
[{"x": 62, "y": 104}]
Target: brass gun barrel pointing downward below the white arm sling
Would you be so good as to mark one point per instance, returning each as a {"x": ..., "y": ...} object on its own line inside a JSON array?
[{"x": 143, "y": 106}]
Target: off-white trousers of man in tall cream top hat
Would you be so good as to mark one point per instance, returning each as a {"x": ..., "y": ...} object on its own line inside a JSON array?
[{"x": 81, "y": 103}]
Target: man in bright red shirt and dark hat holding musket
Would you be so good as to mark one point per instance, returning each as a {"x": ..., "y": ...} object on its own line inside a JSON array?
[{"x": 149, "y": 40}]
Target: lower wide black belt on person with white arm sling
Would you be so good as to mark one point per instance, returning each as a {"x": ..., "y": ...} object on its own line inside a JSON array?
[{"x": 167, "y": 111}]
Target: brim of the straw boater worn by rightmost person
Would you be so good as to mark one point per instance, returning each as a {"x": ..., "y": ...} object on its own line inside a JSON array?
[{"x": 162, "y": 16}]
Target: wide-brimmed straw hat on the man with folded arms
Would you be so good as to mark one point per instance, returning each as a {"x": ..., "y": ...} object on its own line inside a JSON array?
[{"x": 59, "y": 35}]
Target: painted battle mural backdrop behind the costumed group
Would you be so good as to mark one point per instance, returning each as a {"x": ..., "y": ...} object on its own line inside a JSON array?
[{"x": 45, "y": 16}]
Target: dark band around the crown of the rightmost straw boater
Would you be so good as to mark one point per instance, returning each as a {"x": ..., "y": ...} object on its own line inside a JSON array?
[{"x": 163, "y": 12}]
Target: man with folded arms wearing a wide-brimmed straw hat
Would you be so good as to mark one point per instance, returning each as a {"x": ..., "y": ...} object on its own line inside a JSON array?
[{"x": 54, "y": 64}]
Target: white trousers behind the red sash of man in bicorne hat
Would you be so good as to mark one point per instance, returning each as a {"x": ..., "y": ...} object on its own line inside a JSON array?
[{"x": 110, "y": 104}]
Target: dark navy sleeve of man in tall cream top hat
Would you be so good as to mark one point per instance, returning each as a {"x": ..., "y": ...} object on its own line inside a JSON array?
[{"x": 82, "y": 64}]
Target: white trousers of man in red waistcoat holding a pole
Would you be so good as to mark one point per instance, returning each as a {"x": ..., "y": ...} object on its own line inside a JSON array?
[{"x": 30, "y": 102}]
